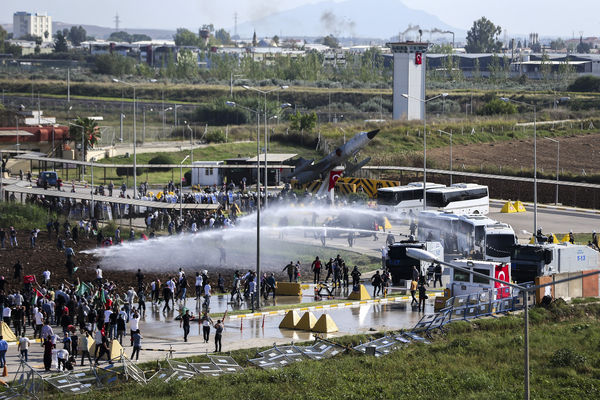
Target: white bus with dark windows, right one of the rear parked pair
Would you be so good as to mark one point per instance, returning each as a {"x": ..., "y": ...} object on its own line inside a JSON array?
[{"x": 460, "y": 198}]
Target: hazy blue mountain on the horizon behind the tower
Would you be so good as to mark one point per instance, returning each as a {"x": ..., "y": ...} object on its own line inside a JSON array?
[{"x": 351, "y": 18}]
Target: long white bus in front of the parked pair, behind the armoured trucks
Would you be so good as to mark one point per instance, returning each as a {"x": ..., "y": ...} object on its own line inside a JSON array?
[{"x": 474, "y": 236}]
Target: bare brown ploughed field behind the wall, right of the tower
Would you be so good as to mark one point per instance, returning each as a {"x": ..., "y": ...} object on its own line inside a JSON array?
[{"x": 577, "y": 153}]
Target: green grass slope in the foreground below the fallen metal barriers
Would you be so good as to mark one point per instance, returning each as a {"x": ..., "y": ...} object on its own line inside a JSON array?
[{"x": 478, "y": 360}]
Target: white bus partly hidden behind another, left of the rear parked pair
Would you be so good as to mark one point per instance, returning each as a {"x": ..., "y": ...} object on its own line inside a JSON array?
[{"x": 399, "y": 201}]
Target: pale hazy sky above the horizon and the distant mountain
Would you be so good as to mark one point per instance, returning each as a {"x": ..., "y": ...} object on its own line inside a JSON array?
[{"x": 546, "y": 17}]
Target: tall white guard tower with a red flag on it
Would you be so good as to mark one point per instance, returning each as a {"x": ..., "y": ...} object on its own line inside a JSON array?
[{"x": 409, "y": 78}]
